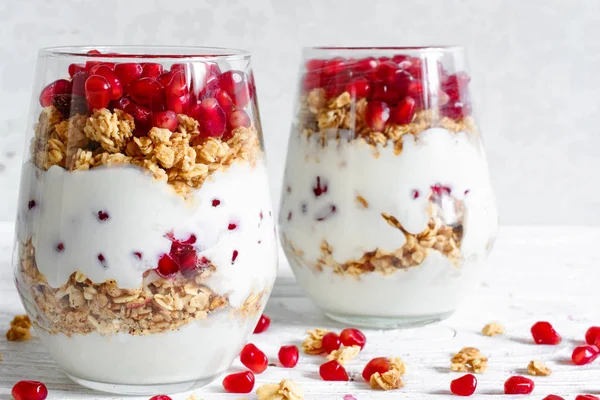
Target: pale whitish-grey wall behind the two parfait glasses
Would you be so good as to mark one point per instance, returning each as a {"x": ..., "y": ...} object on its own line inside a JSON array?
[{"x": 536, "y": 68}]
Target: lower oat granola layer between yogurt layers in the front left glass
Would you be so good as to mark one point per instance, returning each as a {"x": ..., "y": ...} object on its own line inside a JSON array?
[{"x": 158, "y": 305}]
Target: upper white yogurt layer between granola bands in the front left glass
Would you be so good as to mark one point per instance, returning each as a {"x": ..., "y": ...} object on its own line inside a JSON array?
[{"x": 140, "y": 212}]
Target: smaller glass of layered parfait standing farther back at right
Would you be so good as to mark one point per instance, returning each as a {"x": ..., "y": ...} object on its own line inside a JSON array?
[{"x": 387, "y": 210}]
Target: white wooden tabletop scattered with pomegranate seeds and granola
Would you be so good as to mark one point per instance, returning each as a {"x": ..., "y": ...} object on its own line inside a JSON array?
[{"x": 534, "y": 273}]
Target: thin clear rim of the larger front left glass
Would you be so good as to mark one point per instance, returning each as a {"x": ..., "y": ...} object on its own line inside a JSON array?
[{"x": 145, "y": 52}]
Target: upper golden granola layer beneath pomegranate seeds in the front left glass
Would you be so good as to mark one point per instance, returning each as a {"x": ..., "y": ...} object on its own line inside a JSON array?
[{"x": 184, "y": 158}]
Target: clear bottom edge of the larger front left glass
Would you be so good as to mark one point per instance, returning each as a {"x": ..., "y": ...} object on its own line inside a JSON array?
[{"x": 145, "y": 389}]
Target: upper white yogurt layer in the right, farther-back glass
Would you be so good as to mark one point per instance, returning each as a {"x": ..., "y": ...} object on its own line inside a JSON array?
[{"x": 388, "y": 183}]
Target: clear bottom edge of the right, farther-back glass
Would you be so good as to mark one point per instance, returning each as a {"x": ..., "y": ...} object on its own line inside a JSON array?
[{"x": 387, "y": 322}]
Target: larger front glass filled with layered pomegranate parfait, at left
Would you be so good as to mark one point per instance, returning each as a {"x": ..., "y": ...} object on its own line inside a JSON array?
[{"x": 145, "y": 247}]
